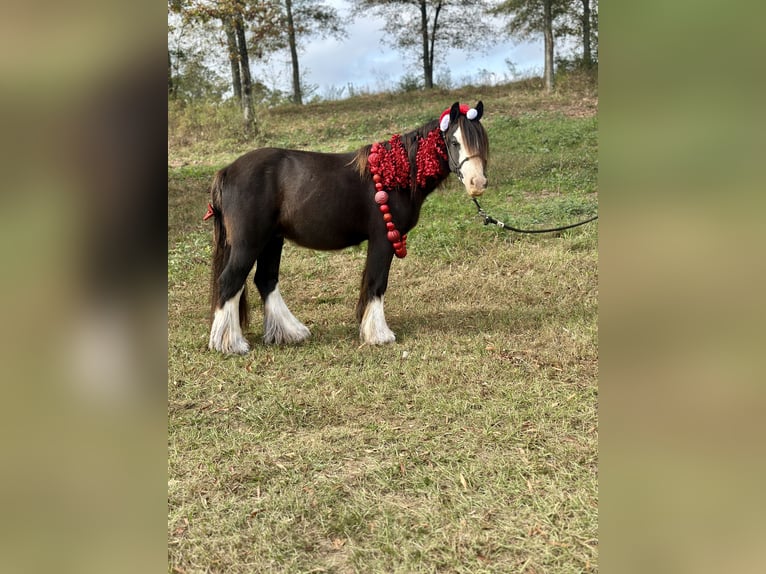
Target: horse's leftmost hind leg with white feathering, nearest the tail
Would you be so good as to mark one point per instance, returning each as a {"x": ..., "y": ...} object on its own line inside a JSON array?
[{"x": 226, "y": 332}]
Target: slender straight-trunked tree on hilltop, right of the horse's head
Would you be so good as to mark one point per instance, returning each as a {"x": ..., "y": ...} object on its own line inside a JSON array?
[{"x": 531, "y": 17}]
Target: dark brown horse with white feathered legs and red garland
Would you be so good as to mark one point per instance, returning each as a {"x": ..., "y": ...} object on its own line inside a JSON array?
[{"x": 330, "y": 201}]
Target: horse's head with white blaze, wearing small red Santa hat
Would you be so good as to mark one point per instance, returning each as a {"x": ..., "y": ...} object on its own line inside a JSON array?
[{"x": 467, "y": 145}]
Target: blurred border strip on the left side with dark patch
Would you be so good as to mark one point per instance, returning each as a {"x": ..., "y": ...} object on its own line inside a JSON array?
[{"x": 84, "y": 347}]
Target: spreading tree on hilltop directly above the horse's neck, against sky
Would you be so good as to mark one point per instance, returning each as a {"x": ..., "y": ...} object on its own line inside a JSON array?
[{"x": 422, "y": 26}]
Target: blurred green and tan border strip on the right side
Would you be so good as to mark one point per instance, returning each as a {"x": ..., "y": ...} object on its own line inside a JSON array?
[{"x": 681, "y": 281}]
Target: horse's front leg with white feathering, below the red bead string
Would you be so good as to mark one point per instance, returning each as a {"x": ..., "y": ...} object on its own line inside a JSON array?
[{"x": 373, "y": 329}]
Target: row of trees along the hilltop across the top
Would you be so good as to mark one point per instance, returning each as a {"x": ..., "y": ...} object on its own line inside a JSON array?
[{"x": 422, "y": 29}]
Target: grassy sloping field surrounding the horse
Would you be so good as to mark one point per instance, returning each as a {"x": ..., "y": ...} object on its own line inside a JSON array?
[{"x": 470, "y": 444}]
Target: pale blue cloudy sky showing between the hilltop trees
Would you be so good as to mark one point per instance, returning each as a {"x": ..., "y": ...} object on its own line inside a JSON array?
[{"x": 368, "y": 63}]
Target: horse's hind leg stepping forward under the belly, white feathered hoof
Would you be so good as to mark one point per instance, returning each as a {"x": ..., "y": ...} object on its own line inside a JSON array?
[{"x": 279, "y": 324}]
